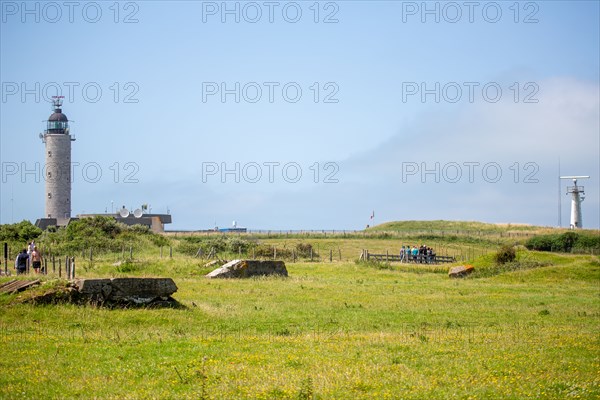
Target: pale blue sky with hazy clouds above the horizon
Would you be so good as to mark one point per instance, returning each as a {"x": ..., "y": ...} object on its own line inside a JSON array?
[{"x": 377, "y": 143}]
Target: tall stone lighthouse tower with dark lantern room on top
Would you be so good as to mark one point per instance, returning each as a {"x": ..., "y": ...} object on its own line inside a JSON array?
[{"x": 58, "y": 165}]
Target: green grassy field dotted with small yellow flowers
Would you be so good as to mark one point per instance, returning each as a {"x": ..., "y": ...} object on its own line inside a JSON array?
[{"x": 332, "y": 330}]
